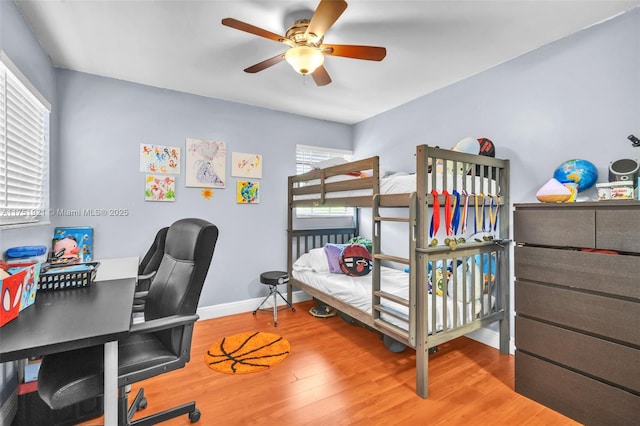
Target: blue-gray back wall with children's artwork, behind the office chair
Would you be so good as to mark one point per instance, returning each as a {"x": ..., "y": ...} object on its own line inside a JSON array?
[{"x": 102, "y": 124}]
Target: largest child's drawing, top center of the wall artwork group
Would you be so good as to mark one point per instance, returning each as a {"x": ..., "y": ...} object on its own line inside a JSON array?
[{"x": 205, "y": 163}]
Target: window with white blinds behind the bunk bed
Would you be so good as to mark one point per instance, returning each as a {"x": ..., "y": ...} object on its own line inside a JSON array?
[{"x": 306, "y": 157}]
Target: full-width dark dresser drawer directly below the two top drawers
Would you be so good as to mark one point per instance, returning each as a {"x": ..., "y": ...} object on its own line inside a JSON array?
[{"x": 605, "y": 273}]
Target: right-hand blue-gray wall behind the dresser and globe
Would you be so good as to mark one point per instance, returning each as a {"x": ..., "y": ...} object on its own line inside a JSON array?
[{"x": 576, "y": 98}]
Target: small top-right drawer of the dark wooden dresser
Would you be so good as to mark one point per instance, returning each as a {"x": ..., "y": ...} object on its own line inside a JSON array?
[{"x": 618, "y": 229}]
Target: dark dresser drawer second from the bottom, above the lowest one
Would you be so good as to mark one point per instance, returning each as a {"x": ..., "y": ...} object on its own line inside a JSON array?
[{"x": 595, "y": 357}]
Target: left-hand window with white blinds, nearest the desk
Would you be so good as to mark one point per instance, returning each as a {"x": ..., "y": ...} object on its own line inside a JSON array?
[{"x": 24, "y": 138}]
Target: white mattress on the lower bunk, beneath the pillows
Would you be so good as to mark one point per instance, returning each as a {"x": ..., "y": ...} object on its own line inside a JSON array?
[{"x": 356, "y": 291}]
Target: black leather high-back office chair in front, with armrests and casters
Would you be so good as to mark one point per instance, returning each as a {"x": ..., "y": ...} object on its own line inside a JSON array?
[{"x": 160, "y": 344}]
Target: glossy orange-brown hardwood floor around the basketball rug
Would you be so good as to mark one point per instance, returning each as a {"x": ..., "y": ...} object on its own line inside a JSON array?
[{"x": 341, "y": 374}]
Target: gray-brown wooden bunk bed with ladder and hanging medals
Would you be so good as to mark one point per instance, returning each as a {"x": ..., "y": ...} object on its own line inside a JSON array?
[{"x": 474, "y": 293}]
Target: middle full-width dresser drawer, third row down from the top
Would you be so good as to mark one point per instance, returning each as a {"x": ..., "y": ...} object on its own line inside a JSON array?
[{"x": 615, "y": 319}]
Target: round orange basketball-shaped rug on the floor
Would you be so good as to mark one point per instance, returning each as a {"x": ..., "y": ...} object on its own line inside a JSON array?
[{"x": 247, "y": 352}]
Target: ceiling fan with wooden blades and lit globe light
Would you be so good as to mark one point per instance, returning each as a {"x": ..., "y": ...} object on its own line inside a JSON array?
[{"x": 306, "y": 51}]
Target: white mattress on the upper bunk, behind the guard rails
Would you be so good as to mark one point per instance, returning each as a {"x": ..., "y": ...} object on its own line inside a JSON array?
[{"x": 401, "y": 183}]
